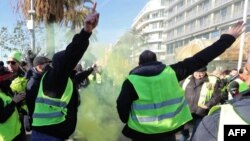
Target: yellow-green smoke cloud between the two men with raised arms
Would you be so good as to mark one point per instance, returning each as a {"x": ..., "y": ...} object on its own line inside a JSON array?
[{"x": 98, "y": 119}]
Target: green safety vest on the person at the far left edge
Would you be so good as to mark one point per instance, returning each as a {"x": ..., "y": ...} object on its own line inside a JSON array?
[{"x": 12, "y": 126}]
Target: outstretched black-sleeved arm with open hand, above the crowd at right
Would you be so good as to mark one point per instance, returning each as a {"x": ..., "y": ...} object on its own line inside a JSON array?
[{"x": 202, "y": 58}]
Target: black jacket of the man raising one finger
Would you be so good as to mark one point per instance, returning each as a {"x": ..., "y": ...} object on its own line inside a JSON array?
[{"x": 55, "y": 81}]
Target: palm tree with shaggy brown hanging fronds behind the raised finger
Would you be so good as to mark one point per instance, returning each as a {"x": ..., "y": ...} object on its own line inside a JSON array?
[{"x": 55, "y": 11}]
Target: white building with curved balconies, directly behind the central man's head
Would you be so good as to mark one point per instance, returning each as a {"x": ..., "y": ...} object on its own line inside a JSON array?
[{"x": 149, "y": 25}]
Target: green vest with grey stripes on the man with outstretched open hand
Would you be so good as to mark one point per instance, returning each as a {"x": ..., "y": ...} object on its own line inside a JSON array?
[{"x": 161, "y": 106}]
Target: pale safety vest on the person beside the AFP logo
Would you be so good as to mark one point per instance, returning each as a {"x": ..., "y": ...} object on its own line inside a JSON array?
[{"x": 227, "y": 111}]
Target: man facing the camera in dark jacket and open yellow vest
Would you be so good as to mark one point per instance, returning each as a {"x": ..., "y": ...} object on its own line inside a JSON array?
[{"x": 202, "y": 91}]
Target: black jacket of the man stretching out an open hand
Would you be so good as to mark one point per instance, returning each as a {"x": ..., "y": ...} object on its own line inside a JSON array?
[{"x": 182, "y": 69}]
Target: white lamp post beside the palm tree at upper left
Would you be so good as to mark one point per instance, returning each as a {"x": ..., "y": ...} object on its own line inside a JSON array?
[{"x": 30, "y": 24}]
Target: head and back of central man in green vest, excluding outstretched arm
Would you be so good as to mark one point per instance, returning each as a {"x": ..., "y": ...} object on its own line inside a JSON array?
[{"x": 151, "y": 86}]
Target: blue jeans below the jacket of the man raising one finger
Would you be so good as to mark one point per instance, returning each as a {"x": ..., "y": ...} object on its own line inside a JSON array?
[{"x": 38, "y": 136}]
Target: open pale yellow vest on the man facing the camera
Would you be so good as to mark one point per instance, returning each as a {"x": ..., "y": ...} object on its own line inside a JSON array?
[{"x": 207, "y": 89}]
